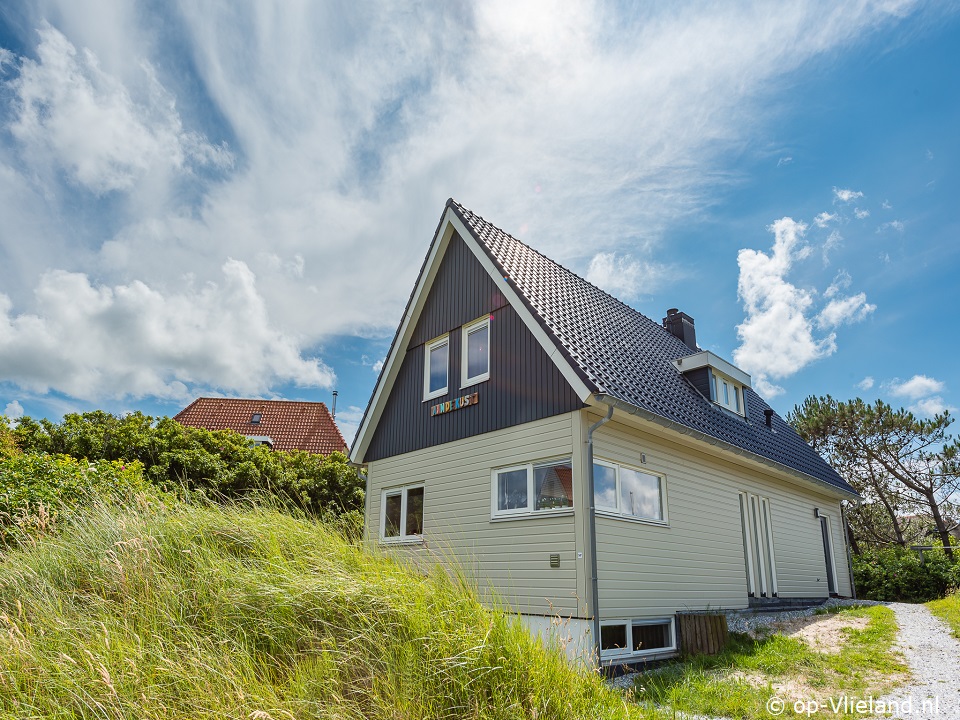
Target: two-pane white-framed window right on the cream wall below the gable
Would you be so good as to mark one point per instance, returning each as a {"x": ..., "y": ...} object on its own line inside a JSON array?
[{"x": 531, "y": 488}]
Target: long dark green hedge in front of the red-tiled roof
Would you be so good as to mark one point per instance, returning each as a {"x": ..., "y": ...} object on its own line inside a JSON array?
[{"x": 218, "y": 463}]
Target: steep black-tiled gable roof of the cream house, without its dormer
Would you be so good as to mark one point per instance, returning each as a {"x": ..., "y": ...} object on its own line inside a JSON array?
[{"x": 608, "y": 351}]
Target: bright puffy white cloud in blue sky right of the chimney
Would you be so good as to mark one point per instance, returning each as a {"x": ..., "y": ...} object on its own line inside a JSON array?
[{"x": 776, "y": 336}]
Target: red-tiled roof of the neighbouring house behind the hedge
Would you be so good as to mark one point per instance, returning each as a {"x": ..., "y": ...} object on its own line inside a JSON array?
[{"x": 280, "y": 424}]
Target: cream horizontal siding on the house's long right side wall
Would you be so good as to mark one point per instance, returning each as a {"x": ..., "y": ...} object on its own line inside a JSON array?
[{"x": 697, "y": 561}]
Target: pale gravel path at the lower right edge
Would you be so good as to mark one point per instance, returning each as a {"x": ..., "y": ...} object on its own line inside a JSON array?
[{"x": 934, "y": 658}]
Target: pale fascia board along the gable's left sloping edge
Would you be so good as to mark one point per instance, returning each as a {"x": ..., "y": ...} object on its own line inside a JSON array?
[{"x": 394, "y": 360}]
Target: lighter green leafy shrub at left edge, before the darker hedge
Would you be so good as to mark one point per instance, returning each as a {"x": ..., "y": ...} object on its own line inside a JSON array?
[{"x": 35, "y": 489}]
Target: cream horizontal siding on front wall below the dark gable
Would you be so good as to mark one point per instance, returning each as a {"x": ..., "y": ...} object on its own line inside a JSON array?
[{"x": 509, "y": 559}]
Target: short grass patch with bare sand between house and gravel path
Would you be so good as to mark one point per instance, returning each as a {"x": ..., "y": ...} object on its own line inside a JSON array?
[{"x": 740, "y": 681}]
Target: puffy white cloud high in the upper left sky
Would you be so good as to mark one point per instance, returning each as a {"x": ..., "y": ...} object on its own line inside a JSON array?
[{"x": 72, "y": 115}]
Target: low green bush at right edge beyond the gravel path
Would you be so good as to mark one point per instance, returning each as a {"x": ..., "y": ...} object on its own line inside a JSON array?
[{"x": 897, "y": 574}]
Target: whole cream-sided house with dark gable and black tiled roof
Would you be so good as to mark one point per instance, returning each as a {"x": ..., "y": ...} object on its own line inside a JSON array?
[{"x": 506, "y": 375}]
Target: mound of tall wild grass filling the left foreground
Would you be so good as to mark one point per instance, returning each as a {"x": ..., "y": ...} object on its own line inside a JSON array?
[{"x": 249, "y": 613}]
